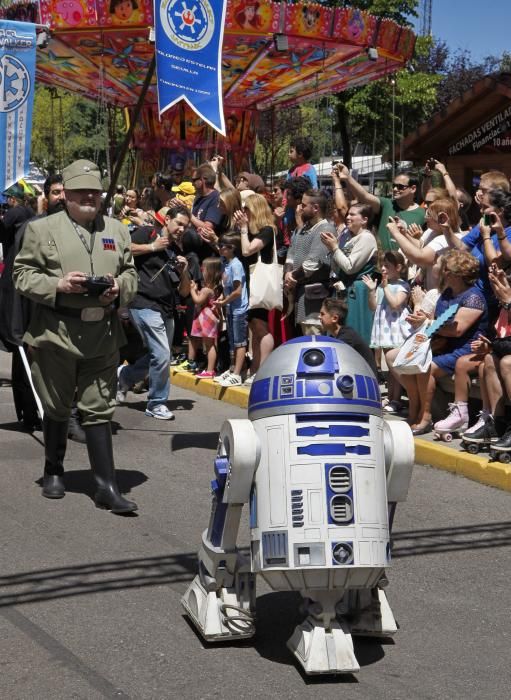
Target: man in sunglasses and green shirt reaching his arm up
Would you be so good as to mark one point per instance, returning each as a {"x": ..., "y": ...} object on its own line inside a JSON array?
[{"x": 402, "y": 204}]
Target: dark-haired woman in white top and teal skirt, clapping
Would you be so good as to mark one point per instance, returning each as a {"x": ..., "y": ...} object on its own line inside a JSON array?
[{"x": 354, "y": 255}]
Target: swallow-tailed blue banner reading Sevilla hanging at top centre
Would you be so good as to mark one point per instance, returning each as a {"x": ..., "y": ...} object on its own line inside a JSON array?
[{"x": 189, "y": 37}]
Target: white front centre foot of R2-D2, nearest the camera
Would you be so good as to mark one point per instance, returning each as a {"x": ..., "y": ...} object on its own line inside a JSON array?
[{"x": 321, "y": 649}]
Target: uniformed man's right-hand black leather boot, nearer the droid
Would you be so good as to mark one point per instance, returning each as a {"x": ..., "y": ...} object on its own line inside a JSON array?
[{"x": 101, "y": 457}]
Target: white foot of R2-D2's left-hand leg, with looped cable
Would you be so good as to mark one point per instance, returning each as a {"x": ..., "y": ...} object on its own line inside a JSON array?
[{"x": 220, "y": 616}]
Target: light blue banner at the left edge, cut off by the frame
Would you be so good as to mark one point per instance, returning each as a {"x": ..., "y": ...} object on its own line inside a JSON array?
[{"x": 17, "y": 79}]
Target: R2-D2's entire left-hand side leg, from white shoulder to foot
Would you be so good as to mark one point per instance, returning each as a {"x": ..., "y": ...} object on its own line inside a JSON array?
[{"x": 221, "y": 599}]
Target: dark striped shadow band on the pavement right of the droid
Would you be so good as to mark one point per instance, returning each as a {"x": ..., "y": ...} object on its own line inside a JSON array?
[{"x": 452, "y": 539}]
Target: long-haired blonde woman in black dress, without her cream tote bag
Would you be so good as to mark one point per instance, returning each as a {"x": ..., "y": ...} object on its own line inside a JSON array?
[{"x": 258, "y": 233}]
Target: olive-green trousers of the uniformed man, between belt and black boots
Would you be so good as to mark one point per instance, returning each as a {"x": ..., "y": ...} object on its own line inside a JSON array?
[{"x": 57, "y": 375}]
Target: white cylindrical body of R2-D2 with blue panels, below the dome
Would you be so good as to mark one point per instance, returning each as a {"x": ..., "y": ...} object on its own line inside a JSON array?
[{"x": 319, "y": 505}]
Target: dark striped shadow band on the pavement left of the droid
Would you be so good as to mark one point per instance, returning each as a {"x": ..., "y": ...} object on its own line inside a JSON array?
[{"x": 100, "y": 577}]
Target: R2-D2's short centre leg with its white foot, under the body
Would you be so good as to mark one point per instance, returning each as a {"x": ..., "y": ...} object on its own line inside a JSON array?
[{"x": 321, "y": 643}]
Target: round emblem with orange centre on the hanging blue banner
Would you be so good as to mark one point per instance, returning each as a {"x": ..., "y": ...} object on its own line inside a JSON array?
[{"x": 188, "y": 23}]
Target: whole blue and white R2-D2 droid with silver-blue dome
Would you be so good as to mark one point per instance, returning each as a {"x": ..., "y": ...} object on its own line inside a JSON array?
[{"x": 320, "y": 470}]
